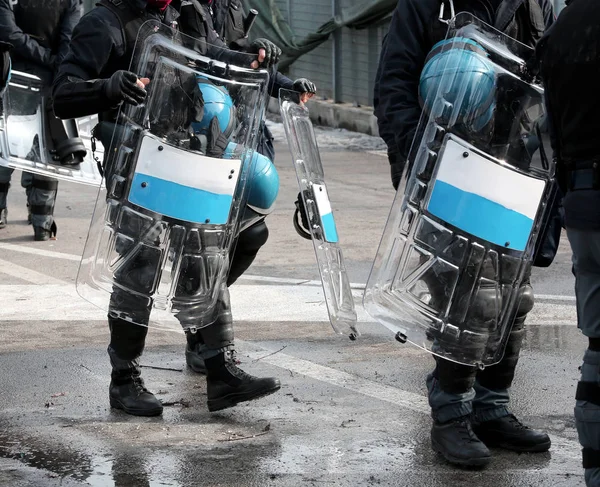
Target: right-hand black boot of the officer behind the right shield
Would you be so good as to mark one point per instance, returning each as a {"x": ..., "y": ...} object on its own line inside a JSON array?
[{"x": 509, "y": 433}]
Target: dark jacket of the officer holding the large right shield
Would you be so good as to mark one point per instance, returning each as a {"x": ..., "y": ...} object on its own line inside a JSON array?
[{"x": 414, "y": 29}]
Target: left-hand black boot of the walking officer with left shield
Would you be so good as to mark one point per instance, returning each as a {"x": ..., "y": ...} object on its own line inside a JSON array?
[{"x": 127, "y": 391}]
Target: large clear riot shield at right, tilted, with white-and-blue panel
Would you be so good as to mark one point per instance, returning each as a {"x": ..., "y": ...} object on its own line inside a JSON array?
[{"x": 460, "y": 238}]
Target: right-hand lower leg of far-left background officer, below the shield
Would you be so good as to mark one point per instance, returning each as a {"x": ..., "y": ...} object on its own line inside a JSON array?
[{"x": 41, "y": 197}]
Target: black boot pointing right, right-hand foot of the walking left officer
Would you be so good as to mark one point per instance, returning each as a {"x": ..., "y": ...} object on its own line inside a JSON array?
[{"x": 228, "y": 385}]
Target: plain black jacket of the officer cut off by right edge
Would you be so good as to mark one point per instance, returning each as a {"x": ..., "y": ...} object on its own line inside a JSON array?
[{"x": 570, "y": 68}]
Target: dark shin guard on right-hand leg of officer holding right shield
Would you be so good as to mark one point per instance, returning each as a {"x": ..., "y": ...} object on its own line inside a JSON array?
[{"x": 500, "y": 376}]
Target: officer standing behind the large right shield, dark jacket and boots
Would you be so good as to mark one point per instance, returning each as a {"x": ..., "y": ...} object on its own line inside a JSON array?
[{"x": 469, "y": 407}]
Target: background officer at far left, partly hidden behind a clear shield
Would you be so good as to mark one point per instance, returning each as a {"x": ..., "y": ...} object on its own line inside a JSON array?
[{"x": 40, "y": 31}]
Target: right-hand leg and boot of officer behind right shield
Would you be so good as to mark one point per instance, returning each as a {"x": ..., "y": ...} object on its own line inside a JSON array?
[{"x": 494, "y": 425}]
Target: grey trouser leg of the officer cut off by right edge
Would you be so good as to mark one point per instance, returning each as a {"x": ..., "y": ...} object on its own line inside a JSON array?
[{"x": 586, "y": 267}]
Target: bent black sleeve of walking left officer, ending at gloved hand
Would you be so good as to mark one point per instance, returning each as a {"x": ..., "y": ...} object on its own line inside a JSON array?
[{"x": 78, "y": 90}]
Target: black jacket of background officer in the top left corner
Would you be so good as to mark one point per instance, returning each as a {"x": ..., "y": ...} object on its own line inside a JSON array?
[{"x": 40, "y": 31}]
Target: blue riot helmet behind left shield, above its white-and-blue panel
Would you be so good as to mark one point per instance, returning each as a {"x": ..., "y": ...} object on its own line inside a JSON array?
[{"x": 216, "y": 103}]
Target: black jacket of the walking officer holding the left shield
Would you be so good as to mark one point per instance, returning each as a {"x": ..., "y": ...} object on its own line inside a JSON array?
[{"x": 100, "y": 46}]
